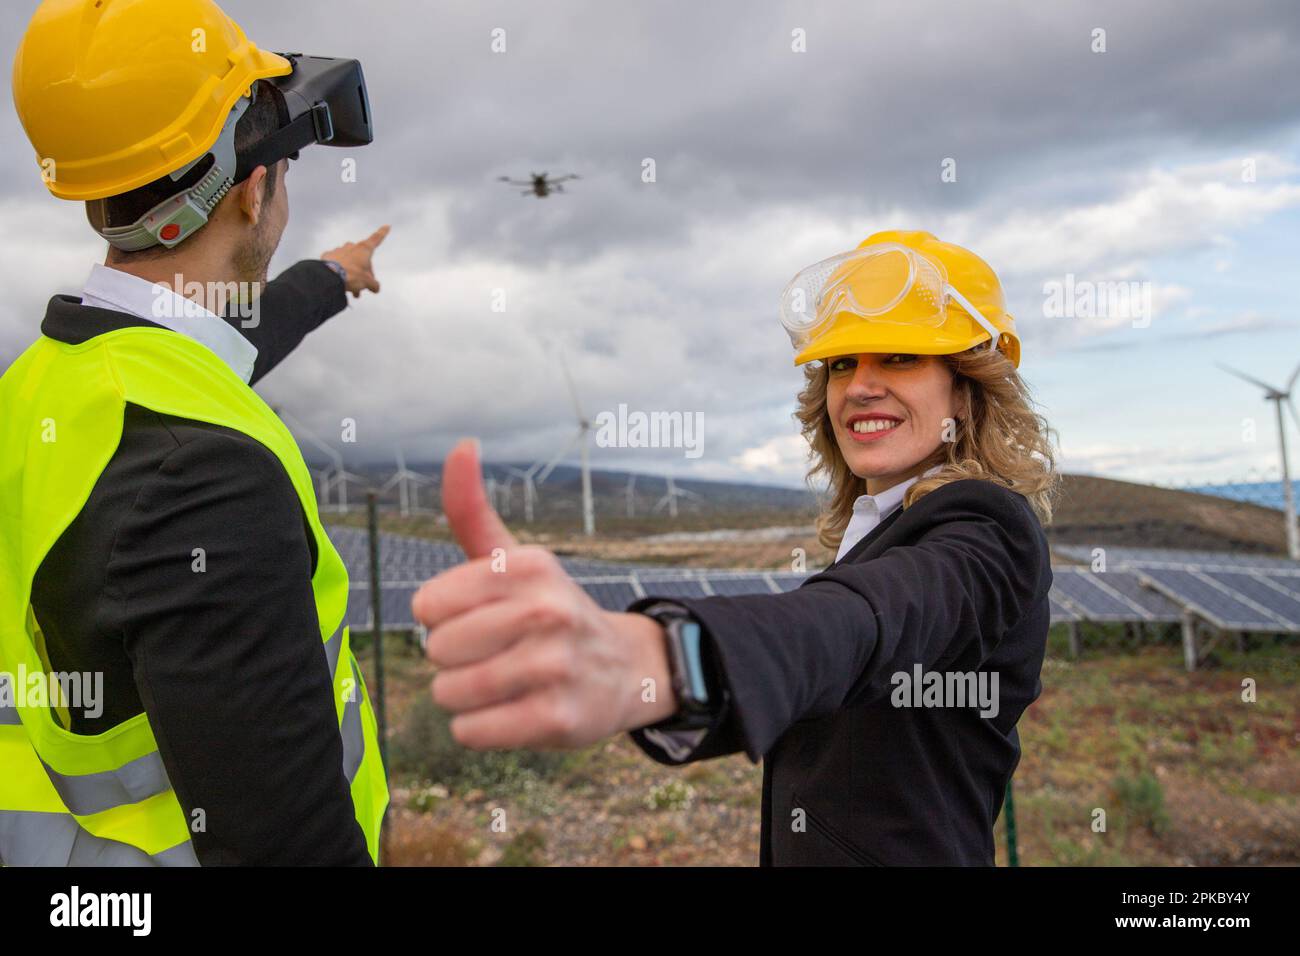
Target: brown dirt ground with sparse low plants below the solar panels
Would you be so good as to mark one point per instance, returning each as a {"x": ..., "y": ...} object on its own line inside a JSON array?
[{"x": 1176, "y": 765}]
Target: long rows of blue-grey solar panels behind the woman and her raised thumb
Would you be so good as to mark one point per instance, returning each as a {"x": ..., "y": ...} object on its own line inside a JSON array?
[{"x": 1230, "y": 591}]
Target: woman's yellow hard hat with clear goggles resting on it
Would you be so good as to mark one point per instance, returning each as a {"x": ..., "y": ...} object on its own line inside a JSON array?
[{"x": 899, "y": 292}]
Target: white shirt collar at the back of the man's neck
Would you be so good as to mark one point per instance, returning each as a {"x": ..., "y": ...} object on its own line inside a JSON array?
[{"x": 123, "y": 292}]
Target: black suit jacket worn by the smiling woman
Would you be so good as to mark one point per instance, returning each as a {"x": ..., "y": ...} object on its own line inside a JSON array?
[{"x": 955, "y": 585}]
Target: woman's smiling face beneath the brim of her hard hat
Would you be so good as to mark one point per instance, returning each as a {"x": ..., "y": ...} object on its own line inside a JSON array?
[{"x": 890, "y": 413}]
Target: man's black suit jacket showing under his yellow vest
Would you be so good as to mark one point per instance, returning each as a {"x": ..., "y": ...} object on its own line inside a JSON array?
[{"x": 227, "y": 664}]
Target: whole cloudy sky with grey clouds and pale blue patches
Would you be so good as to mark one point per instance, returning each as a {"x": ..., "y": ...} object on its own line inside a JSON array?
[{"x": 1172, "y": 159}]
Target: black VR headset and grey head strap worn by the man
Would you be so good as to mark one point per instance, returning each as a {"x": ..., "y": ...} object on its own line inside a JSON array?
[{"x": 323, "y": 101}]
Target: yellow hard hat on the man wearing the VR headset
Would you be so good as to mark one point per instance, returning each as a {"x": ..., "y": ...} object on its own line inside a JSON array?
[{"x": 115, "y": 94}]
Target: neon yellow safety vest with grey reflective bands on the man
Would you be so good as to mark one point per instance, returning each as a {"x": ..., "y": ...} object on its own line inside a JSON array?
[{"x": 68, "y": 799}]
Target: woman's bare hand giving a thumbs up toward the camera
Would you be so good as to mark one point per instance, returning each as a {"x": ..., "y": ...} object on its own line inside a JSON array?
[{"x": 526, "y": 657}]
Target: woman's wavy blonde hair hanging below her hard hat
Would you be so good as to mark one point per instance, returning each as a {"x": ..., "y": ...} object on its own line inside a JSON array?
[{"x": 1004, "y": 442}]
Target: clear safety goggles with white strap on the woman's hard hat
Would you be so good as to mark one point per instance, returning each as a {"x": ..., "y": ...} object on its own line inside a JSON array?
[{"x": 886, "y": 284}]
